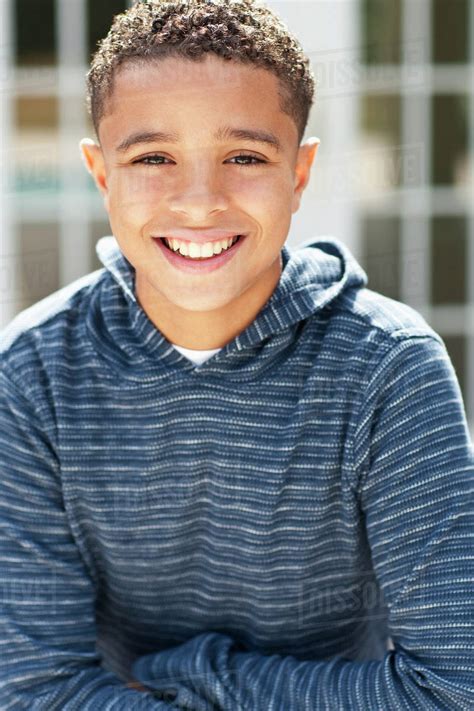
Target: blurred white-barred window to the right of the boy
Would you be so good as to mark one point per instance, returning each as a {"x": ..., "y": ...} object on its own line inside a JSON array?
[{"x": 433, "y": 215}]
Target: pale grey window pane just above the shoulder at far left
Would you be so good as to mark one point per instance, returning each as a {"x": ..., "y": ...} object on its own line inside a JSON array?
[{"x": 39, "y": 270}]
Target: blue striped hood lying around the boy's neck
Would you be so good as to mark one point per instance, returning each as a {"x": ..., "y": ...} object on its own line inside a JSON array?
[{"x": 314, "y": 276}]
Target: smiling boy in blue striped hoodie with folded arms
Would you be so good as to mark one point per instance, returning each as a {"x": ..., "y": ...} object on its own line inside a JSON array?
[{"x": 226, "y": 480}]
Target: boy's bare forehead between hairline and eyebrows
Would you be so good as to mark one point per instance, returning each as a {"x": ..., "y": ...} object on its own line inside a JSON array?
[{"x": 193, "y": 98}]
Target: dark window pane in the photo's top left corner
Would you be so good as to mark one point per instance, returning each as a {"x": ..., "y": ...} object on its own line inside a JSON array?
[{"x": 35, "y": 32}]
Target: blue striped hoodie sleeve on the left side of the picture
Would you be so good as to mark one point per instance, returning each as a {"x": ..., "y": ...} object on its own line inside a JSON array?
[{"x": 48, "y": 660}]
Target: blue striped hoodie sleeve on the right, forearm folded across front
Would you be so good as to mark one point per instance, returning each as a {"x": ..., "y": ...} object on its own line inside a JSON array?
[{"x": 415, "y": 472}]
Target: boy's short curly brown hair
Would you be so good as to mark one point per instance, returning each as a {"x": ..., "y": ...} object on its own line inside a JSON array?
[{"x": 243, "y": 30}]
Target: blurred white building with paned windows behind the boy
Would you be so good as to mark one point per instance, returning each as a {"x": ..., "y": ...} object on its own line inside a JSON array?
[{"x": 393, "y": 179}]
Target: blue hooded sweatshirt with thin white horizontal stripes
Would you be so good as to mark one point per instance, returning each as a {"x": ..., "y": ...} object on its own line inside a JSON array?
[{"x": 248, "y": 532}]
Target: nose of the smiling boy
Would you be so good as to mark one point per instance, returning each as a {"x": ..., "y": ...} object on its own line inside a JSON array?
[{"x": 198, "y": 193}]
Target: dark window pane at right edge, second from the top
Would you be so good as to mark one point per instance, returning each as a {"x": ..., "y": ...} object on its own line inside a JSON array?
[{"x": 450, "y": 139}]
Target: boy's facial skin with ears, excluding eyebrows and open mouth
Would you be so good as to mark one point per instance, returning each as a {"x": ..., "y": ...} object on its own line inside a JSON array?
[{"x": 197, "y": 184}]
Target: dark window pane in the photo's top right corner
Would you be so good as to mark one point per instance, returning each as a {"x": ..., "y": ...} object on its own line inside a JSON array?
[{"x": 450, "y": 31}]
